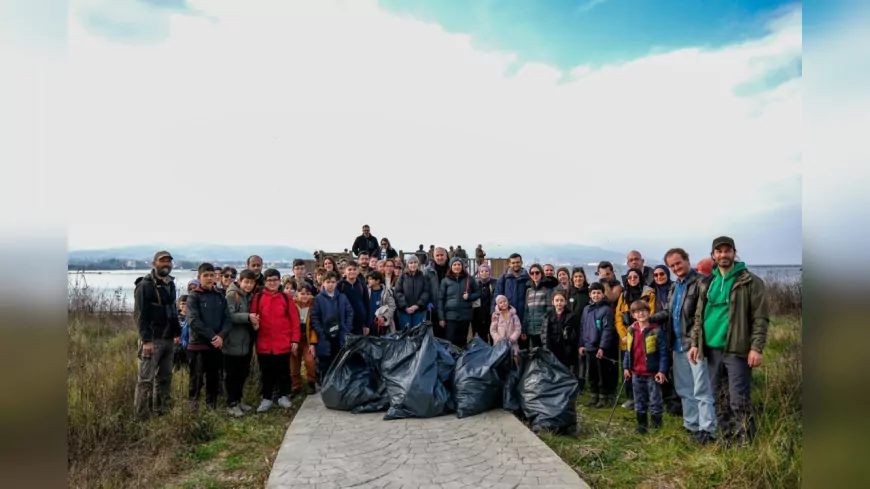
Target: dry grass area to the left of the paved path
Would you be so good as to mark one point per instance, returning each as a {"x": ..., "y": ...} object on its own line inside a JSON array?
[{"x": 108, "y": 448}]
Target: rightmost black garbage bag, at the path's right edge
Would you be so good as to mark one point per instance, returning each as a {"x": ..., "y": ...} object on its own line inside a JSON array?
[{"x": 548, "y": 393}]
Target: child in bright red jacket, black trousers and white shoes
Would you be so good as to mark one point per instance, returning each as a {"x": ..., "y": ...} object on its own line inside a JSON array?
[{"x": 278, "y": 335}]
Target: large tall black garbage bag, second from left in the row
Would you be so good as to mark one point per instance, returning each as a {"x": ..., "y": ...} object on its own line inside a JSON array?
[{"x": 413, "y": 369}]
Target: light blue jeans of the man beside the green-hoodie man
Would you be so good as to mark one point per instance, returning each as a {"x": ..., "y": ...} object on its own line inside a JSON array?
[{"x": 692, "y": 383}]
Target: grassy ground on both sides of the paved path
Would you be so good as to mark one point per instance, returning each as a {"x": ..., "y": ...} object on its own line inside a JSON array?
[{"x": 107, "y": 448}]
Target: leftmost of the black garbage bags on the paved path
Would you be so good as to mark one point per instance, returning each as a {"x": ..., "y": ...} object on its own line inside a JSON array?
[{"x": 353, "y": 382}]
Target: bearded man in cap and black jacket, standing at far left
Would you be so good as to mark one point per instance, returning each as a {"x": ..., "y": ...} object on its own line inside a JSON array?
[{"x": 157, "y": 318}]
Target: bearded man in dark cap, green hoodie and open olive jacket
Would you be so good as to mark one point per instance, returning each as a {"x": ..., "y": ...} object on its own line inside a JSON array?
[{"x": 730, "y": 332}]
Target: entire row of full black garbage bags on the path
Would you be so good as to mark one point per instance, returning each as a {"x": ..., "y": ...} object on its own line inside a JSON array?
[{"x": 413, "y": 374}]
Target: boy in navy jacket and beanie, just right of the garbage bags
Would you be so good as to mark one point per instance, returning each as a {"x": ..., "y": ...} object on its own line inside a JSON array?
[{"x": 599, "y": 347}]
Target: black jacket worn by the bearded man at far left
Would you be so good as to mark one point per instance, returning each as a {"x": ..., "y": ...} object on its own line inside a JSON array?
[{"x": 154, "y": 308}]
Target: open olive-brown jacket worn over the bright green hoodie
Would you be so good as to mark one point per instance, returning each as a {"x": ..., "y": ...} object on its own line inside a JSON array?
[{"x": 748, "y": 318}]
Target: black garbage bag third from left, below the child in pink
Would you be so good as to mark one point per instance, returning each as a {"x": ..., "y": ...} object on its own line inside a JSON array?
[{"x": 478, "y": 379}]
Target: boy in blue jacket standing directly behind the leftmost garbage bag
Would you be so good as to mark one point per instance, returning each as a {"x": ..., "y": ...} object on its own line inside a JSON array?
[{"x": 332, "y": 320}]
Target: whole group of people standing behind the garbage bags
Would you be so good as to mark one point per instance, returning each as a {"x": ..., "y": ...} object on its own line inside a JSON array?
[{"x": 685, "y": 340}]
